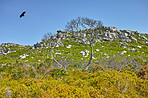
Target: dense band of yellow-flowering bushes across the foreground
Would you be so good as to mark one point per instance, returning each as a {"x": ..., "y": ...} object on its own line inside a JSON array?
[{"x": 76, "y": 84}]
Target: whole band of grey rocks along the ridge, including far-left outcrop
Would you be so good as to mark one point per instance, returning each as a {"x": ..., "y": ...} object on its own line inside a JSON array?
[{"x": 107, "y": 34}]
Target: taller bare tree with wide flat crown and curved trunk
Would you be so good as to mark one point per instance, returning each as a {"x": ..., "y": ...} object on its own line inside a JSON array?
[{"x": 89, "y": 25}]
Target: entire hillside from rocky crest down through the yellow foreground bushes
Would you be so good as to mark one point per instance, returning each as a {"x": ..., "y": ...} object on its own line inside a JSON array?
[{"x": 118, "y": 66}]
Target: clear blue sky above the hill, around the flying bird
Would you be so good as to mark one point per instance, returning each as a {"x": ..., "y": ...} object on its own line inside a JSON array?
[{"x": 44, "y": 16}]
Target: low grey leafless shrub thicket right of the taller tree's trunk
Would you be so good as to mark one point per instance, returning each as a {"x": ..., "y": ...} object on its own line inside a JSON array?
[{"x": 119, "y": 62}]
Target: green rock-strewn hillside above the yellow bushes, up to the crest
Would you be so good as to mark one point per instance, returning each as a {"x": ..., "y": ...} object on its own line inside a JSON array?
[{"x": 75, "y": 47}]
